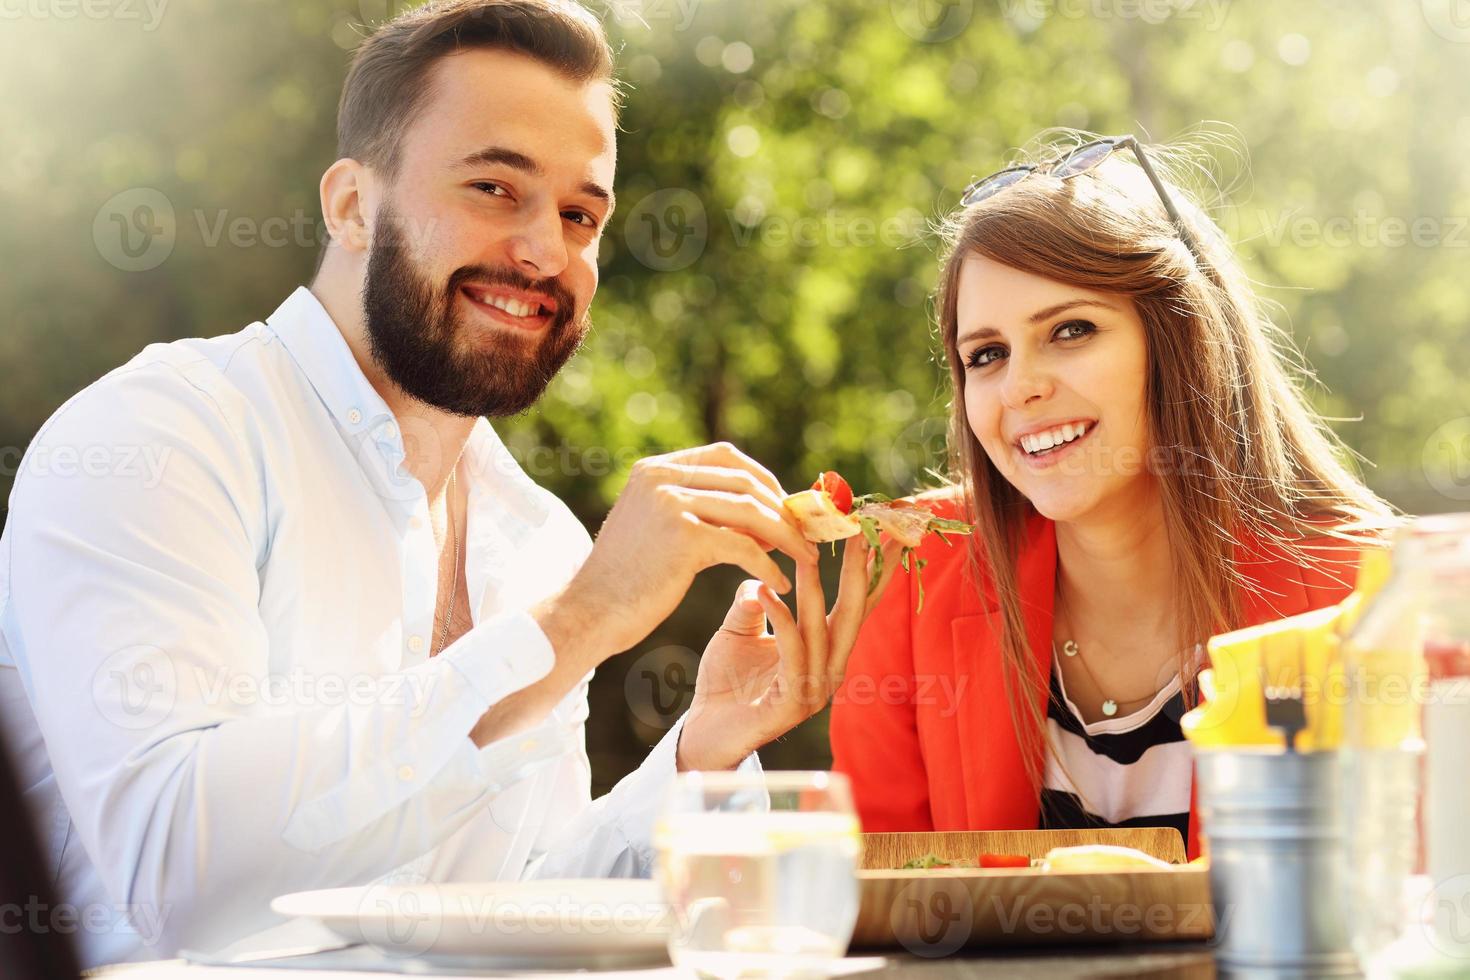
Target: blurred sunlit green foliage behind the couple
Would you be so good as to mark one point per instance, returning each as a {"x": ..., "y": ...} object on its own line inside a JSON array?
[{"x": 820, "y": 142}]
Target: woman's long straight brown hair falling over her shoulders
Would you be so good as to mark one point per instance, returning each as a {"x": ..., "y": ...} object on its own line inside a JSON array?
[{"x": 1238, "y": 452}]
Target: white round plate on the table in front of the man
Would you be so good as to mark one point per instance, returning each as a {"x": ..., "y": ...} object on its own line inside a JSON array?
[{"x": 553, "y": 923}]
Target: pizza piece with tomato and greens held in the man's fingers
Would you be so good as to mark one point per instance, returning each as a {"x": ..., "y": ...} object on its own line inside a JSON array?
[{"x": 828, "y": 512}]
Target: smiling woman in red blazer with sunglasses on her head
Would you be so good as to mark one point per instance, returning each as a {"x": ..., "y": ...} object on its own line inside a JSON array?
[{"x": 1143, "y": 472}]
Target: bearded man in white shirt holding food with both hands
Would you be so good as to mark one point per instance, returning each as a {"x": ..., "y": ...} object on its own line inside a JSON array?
[{"x": 343, "y": 635}]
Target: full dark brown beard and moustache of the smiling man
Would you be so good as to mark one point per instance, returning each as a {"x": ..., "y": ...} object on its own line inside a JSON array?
[{"x": 429, "y": 350}]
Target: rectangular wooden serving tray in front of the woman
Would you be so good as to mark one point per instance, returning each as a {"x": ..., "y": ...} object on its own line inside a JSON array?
[{"x": 936, "y": 912}]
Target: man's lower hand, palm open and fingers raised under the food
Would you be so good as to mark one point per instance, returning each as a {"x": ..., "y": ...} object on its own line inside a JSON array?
[{"x": 755, "y": 687}]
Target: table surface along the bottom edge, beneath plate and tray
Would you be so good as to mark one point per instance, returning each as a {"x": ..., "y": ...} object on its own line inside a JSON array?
[{"x": 1152, "y": 962}]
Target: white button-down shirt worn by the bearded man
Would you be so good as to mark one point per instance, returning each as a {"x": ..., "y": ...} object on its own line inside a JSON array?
[{"x": 217, "y": 603}]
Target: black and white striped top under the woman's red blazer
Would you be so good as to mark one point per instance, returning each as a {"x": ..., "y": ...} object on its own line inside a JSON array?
[{"x": 1133, "y": 771}]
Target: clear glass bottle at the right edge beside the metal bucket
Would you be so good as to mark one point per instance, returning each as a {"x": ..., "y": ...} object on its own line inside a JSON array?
[{"x": 1408, "y": 756}]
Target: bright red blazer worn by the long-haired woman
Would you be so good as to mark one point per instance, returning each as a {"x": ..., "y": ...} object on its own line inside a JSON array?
[{"x": 921, "y": 724}]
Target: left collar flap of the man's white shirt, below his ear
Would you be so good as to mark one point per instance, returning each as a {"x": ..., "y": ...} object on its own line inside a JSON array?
[{"x": 321, "y": 352}]
